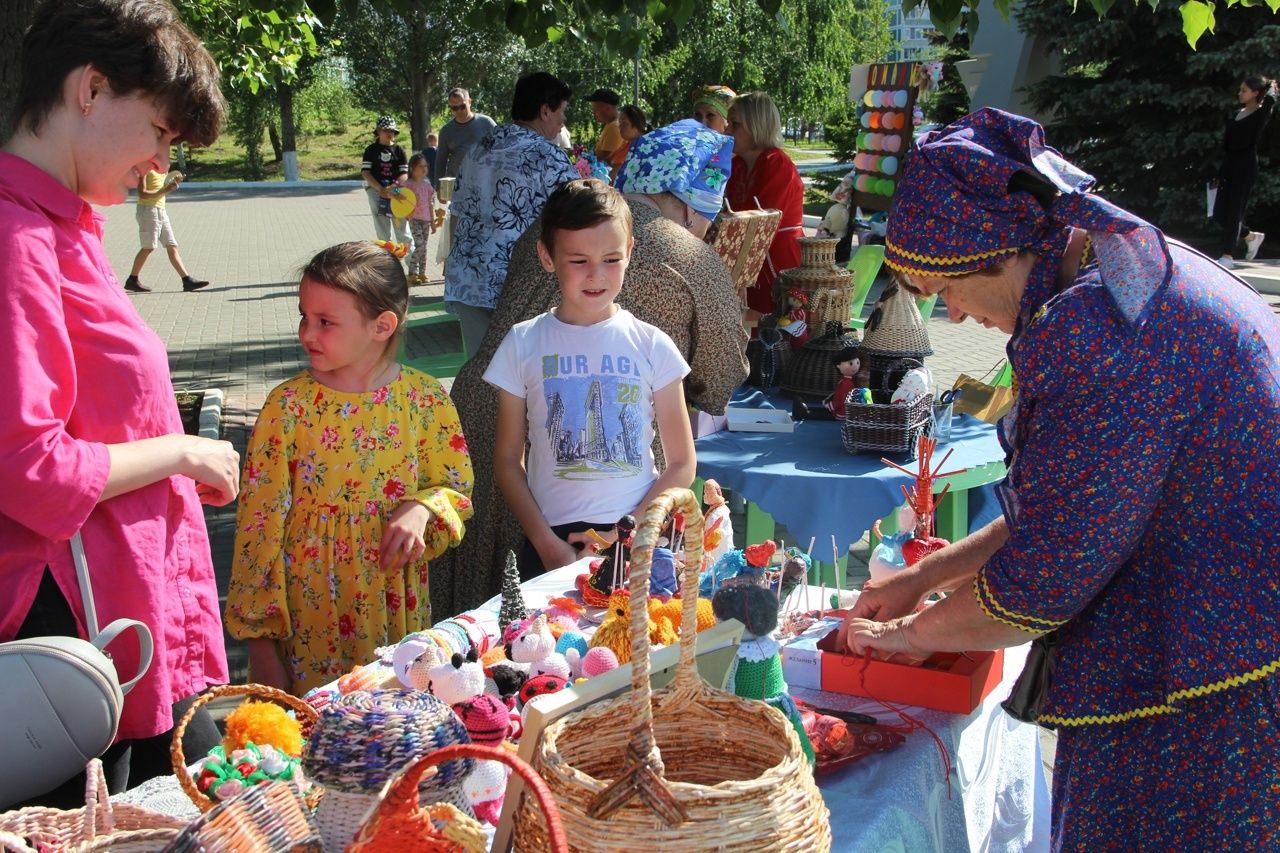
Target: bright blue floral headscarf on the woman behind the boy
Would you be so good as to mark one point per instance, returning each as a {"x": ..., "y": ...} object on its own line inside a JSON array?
[{"x": 687, "y": 159}]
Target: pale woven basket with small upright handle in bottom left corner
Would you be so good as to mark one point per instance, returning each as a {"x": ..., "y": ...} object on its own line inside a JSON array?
[{"x": 99, "y": 827}]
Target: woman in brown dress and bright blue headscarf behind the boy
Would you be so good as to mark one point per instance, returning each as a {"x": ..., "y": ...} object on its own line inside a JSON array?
[{"x": 674, "y": 181}]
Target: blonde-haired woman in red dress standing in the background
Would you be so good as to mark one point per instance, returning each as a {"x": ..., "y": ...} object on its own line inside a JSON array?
[{"x": 765, "y": 177}]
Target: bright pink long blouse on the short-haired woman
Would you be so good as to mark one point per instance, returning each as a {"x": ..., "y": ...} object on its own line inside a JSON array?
[{"x": 80, "y": 371}]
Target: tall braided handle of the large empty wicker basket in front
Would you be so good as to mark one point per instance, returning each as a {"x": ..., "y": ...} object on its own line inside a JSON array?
[{"x": 643, "y": 770}]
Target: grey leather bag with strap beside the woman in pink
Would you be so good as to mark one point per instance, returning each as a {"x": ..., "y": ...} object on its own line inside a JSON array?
[{"x": 61, "y": 700}]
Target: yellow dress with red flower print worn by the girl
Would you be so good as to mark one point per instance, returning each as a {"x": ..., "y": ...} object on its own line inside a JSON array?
[{"x": 324, "y": 471}]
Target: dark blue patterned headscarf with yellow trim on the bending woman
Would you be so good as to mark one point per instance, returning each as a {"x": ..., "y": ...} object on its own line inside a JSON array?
[{"x": 954, "y": 212}]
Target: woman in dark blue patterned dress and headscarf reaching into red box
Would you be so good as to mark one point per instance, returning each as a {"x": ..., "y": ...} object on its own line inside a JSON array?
[{"x": 1140, "y": 526}]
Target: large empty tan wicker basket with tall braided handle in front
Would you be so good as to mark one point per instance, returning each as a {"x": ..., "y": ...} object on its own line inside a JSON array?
[{"x": 689, "y": 768}]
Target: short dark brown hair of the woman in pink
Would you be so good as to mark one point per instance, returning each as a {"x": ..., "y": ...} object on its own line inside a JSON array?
[{"x": 140, "y": 45}]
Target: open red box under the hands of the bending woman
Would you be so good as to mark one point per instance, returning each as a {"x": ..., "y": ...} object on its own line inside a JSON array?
[{"x": 947, "y": 682}]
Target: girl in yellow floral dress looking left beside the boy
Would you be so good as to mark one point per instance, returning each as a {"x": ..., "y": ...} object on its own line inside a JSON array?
[{"x": 356, "y": 476}]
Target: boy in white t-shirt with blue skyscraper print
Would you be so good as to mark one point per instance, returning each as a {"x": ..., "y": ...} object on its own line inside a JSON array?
[{"x": 584, "y": 384}]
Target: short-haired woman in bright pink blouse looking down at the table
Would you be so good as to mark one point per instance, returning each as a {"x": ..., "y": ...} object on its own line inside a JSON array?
[{"x": 90, "y": 436}]
